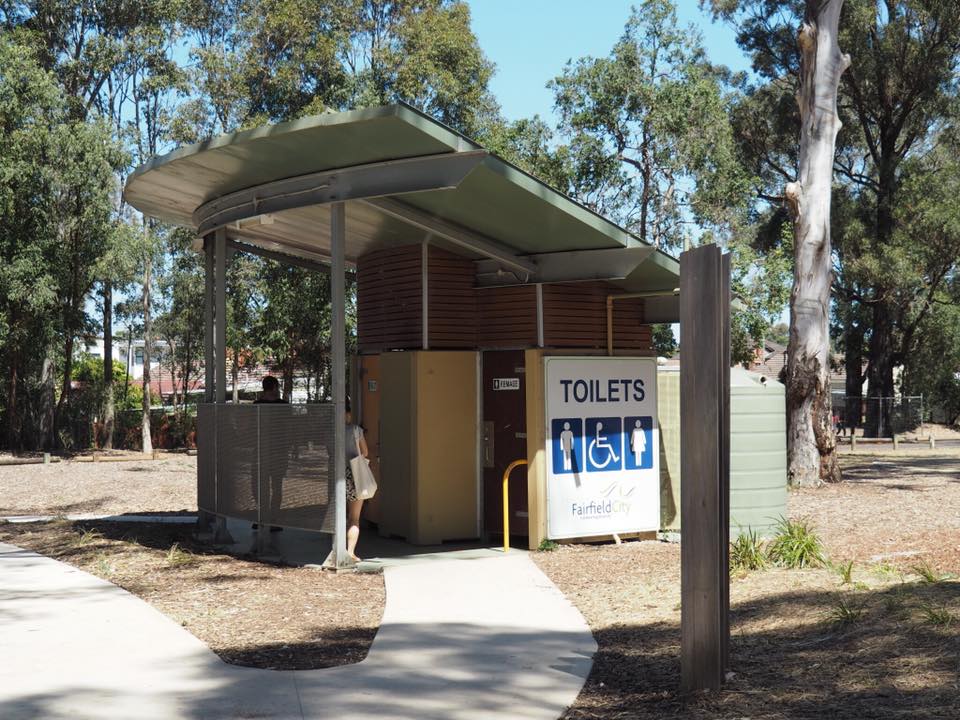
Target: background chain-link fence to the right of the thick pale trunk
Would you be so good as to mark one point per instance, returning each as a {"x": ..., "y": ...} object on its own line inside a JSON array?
[{"x": 877, "y": 416}]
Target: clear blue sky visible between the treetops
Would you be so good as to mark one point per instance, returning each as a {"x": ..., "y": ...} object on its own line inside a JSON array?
[{"x": 531, "y": 40}]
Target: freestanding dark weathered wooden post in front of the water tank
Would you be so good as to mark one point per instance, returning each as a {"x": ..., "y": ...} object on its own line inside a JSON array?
[{"x": 705, "y": 467}]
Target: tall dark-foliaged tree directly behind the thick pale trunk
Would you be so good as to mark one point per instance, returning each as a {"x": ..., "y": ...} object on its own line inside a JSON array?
[{"x": 896, "y": 100}]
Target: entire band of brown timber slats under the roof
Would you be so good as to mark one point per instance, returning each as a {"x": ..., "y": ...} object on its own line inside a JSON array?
[{"x": 462, "y": 316}]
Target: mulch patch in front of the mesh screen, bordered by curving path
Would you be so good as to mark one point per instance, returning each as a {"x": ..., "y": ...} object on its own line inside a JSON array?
[{"x": 249, "y": 613}]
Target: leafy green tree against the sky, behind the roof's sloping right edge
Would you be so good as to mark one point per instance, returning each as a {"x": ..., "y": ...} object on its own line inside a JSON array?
[{"x": 644, "y": 137}]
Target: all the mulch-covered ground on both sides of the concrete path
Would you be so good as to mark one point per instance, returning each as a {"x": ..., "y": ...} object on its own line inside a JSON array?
[{"x": 804, "y": 643}]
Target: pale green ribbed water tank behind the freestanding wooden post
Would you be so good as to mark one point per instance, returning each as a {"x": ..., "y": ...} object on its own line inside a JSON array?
[{"x": 758, "y": 451}]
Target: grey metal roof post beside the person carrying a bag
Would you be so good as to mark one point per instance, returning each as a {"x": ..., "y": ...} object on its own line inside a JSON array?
[{"x": 339, "y": 380}]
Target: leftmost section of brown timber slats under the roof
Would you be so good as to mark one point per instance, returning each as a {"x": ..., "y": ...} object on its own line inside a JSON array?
[{"x": 389, "y": 294}]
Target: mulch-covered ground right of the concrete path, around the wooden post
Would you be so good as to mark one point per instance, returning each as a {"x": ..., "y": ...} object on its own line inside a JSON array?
[{"x": 804, "y": 643}]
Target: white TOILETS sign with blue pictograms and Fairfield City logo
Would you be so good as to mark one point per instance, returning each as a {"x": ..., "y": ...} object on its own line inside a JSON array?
[{"x": 603, "y": 446}]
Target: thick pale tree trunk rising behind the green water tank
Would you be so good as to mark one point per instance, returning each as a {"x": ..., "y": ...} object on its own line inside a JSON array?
[{"x": 811, "y": 439}]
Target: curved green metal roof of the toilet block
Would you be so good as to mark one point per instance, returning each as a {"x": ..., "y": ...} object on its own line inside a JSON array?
[{"x": 404, "y": 177}]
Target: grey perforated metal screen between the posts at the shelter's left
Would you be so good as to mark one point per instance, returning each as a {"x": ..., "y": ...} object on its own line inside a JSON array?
[{"x": 267, "y": 463}]
